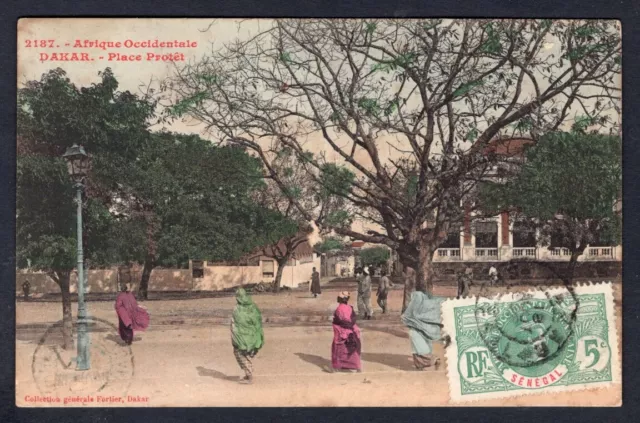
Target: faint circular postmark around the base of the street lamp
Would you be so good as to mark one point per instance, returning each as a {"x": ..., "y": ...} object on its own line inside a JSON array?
[{"x": 110, "y": 374}]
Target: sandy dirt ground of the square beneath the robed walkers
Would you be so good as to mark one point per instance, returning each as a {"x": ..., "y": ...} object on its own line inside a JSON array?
[{"x": 193, "y": 365}]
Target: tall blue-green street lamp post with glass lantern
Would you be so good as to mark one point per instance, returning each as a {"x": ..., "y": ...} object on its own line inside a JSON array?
[{"x": 78, "y": 166}]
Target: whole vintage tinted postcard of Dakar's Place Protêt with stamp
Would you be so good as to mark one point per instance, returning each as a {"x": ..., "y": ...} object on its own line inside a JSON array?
[{"x": 318, "y": 212}]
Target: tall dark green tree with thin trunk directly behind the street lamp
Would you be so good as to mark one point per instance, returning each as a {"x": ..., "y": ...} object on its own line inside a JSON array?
[{"x": 52, "y": 115}]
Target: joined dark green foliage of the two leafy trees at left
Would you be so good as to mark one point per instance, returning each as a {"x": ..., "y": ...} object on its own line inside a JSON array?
[{"x": 173, "y": 196}]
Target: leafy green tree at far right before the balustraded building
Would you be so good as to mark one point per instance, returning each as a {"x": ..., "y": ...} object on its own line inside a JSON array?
[{"x": 568, "y": 188}]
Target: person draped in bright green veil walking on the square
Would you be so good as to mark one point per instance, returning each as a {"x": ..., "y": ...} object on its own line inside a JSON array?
[{"x": 247, "y": 336}]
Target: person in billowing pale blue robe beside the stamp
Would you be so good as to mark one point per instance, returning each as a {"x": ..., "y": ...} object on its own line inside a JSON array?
[{"x": 422, "y": 317}]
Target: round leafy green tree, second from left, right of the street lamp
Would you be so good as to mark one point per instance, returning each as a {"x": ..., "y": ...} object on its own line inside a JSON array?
[{"x": 187, "y": 198}]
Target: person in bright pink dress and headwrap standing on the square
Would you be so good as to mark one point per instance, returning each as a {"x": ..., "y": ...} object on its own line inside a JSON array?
[{"x": 346, "y": 346}]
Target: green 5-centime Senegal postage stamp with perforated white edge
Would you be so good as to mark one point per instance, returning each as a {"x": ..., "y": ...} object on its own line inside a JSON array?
[{"x": 535, "y": 342}]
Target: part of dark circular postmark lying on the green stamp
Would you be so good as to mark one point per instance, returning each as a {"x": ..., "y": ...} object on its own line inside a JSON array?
[{"x": 528, "y": 331}]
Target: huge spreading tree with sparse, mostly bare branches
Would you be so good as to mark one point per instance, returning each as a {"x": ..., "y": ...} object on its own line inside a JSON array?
[{"x": 402, "y": 108}]
